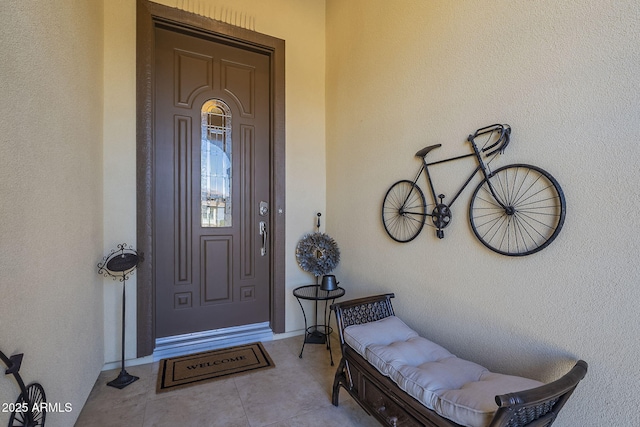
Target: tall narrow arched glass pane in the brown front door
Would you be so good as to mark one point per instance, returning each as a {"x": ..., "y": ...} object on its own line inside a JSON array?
[{"x": 215, "y": 154}]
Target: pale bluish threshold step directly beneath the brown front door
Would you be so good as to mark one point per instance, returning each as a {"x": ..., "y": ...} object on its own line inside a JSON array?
[{"x": 179, "y": 345}]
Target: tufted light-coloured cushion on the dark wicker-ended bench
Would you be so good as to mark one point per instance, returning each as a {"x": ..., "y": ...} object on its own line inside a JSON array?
[{"x": 454, "y": 388}]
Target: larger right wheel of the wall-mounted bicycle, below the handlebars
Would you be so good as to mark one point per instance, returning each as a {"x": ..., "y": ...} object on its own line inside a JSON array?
[{"x": 524, "y": 213}]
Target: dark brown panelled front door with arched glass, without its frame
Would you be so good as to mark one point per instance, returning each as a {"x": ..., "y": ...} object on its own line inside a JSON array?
[{"x": 211, "y": 184}]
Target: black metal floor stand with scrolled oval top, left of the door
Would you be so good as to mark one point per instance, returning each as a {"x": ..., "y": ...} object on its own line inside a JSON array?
[{"x": 121, "y": 263}]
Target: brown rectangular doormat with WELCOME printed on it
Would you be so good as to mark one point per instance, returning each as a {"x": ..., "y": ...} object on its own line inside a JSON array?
[{"x": 178, "y": 372}]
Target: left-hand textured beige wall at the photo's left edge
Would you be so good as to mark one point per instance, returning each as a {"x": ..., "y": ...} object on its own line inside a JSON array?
[{"x": 51, "y": 197}]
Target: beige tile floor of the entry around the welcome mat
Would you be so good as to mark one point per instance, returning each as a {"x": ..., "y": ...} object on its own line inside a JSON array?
[{"x": 296, "y": 393}]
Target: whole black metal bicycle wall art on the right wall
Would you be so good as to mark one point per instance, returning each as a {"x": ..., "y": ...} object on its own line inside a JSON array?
[{"x": 516, "y": 210}]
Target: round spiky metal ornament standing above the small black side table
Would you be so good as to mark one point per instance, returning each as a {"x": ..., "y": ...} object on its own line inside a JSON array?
[{"x": 317, "y": 253}]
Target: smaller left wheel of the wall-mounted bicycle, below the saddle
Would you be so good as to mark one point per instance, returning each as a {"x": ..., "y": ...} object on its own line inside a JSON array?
[{"x": 403, "y": 211}]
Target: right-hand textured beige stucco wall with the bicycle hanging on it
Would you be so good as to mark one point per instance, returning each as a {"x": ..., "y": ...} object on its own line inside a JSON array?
[{"x": 405, "y": 74}]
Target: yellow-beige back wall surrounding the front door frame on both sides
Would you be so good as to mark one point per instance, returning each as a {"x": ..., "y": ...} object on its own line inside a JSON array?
[{"x": 302, "y": 26}]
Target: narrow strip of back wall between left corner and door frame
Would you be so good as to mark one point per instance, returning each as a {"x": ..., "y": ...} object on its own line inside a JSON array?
[{"x": 119, "y": 166}]
